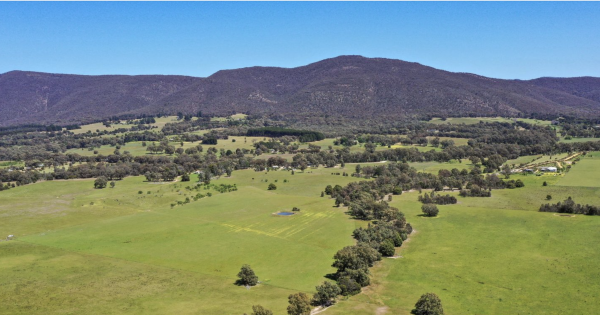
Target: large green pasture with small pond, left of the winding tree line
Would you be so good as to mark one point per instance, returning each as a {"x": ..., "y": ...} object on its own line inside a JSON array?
[{"x": 83, "y": 250}]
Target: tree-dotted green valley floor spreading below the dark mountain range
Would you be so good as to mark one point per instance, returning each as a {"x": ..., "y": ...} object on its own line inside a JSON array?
[{"x": 155, "y": 242}]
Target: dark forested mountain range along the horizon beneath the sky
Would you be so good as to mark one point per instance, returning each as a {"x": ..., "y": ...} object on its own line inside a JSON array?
[{"x": 350, "y": 86}]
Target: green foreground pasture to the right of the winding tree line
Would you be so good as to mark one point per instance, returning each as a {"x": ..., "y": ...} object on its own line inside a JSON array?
[{"x": 494, "y": 255}]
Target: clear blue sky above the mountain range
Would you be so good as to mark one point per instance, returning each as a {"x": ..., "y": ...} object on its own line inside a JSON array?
[{"x": 502, "y": 40}]
